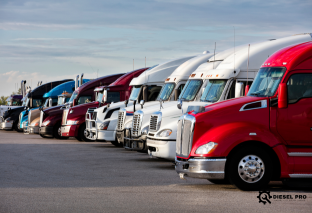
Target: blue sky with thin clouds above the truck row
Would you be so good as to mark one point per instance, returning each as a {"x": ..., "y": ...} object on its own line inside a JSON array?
[{"x": 50, "y": 40}]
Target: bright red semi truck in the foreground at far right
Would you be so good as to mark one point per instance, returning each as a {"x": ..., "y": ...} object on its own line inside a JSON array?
[{"x": 264, "y": 136}]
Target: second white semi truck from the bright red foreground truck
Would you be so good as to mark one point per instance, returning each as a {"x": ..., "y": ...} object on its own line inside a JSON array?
[{"x": 136, "y": 129}]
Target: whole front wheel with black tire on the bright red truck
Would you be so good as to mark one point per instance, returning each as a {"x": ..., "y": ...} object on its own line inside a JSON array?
[{"x": 250, "y": 169}]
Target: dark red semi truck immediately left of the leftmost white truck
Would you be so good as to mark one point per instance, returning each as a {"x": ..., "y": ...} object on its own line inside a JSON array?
[{"x": 73, "y": 122}]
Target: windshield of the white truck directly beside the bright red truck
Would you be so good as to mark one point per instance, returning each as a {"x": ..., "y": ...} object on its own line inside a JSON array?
[{"x": 213, "y": 90}]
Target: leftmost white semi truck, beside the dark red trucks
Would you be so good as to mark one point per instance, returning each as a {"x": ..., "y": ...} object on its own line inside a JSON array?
[{"x": 101, "y": 122}]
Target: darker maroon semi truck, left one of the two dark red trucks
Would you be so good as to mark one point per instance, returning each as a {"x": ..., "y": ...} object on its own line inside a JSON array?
[{"x": 51, "y": 118}]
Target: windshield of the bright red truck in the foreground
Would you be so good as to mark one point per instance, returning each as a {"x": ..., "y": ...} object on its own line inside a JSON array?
[{"x": 266, "y": 82}]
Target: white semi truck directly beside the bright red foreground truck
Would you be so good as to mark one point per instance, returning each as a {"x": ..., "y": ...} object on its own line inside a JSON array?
[{"x": 221, "y": 83}]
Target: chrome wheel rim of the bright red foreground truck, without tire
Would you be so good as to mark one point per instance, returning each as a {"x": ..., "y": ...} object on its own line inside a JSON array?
[{"x": 251, "y": 169}]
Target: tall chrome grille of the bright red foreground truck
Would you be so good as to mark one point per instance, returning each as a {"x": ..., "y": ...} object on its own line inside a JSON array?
[{"x": 185, "y": 135}]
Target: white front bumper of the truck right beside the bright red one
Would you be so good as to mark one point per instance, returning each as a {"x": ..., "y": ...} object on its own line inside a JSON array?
[{"x": 162, "y": 149}]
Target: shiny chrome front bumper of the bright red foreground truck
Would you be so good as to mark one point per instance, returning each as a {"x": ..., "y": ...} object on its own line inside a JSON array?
[{"x": 206, "y": 168}]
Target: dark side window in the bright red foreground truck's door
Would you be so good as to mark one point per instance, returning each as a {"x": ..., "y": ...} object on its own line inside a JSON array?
[{"x": 299, "y": 86}]
